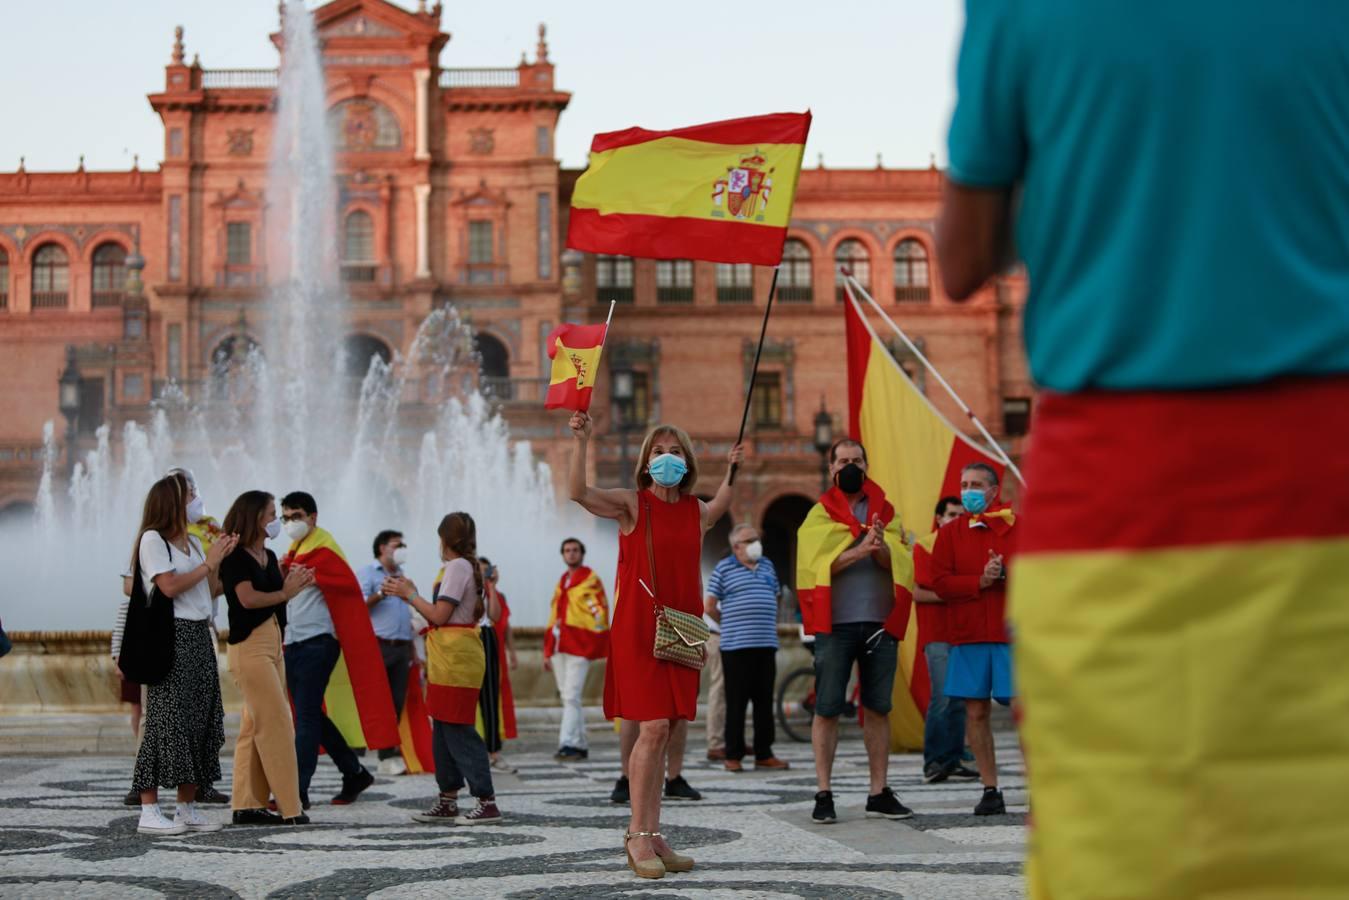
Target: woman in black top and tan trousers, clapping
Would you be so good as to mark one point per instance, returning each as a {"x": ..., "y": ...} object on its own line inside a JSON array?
[{"x": 257, "y": 596}]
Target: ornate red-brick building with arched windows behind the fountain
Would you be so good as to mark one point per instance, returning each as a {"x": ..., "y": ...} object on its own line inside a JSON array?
[{"x": 450, "y": 194}]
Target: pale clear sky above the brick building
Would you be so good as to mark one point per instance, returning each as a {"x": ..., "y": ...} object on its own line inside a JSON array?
[{"x": 879, "y": 75}]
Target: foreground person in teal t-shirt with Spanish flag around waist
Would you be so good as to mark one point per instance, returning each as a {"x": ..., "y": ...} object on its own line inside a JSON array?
[{"x": 1176, "y": 177}]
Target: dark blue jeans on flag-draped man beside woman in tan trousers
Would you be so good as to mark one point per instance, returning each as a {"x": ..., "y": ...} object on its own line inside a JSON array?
[{"x": 308, "y": 669}]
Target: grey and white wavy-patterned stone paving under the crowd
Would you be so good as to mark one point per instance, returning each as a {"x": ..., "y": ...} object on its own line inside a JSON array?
[{"x": 64, "y": 833}]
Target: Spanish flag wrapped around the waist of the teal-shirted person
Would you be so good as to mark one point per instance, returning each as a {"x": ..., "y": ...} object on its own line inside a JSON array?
[{"x": 1182, "y": 621}]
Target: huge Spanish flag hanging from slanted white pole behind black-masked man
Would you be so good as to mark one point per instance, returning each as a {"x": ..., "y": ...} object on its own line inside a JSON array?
[{"x": 917, "y": 455}]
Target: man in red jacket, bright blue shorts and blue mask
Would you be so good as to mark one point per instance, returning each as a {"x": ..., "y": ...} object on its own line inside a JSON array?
[{"x": 969, "y": 571}]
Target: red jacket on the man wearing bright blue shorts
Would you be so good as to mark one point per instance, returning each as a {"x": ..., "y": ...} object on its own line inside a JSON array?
[{"x": 977, "y": 616}]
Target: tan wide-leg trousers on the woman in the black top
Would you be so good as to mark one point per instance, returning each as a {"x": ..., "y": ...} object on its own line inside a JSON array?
[{"x": 265, "y": 755}]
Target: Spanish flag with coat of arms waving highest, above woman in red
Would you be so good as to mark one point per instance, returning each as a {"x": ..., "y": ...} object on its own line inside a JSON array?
[{"x": 720, "y": 192}]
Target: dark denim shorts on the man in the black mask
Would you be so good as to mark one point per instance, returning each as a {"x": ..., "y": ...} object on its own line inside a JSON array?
[{"x": 834, "y": 658}]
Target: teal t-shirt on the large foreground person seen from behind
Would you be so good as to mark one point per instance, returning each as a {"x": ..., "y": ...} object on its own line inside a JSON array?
[{"x": 1184, "y": 183}]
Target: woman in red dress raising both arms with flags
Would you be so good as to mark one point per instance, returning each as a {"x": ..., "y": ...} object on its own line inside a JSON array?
[{"x": 639, "y": 687}]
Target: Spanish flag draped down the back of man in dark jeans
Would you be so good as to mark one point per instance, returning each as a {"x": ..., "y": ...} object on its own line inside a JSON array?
[{"x": 358, "y": 696}]
